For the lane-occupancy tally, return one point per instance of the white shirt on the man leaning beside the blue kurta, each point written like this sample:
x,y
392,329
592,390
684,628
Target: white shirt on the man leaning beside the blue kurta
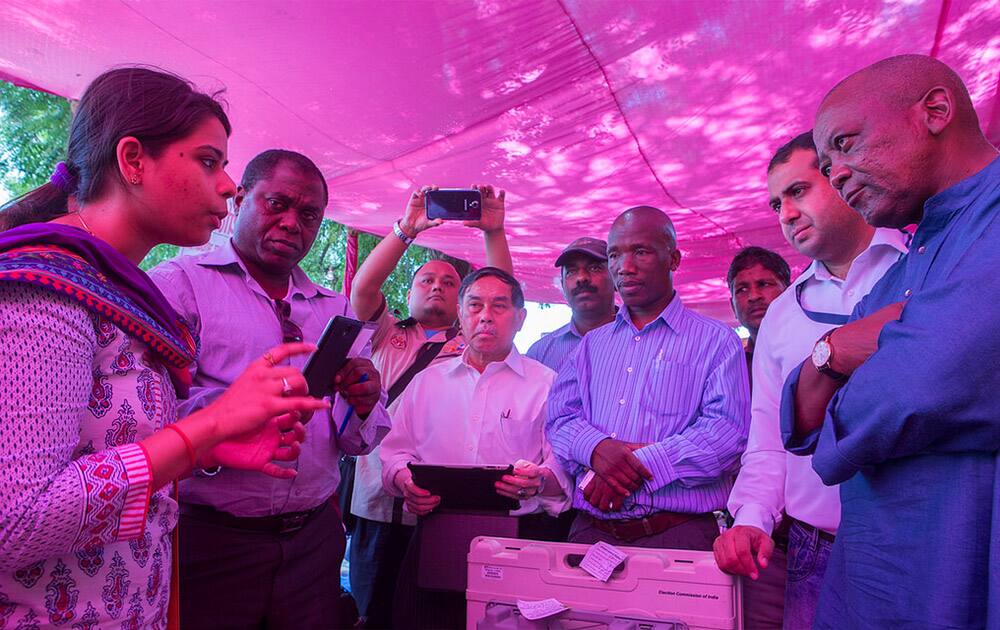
x,y
771,479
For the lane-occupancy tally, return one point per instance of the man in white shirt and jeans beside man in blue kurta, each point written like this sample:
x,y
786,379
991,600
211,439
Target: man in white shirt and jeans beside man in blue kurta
x,y
849,257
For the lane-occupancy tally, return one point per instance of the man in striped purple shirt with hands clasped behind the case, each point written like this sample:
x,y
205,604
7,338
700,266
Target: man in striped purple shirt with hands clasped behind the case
x,y
655,404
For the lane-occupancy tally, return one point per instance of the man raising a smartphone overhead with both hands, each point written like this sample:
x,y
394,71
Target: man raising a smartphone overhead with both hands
x,y
401,349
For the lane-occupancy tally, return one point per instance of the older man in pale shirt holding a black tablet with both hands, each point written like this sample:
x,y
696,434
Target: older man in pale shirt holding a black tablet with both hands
x,y
486,407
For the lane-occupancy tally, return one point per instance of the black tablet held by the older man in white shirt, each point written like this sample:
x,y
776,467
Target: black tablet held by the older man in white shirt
x,y
465,488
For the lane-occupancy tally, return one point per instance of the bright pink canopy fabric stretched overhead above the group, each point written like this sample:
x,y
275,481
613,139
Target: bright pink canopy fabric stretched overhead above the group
x,y
579,108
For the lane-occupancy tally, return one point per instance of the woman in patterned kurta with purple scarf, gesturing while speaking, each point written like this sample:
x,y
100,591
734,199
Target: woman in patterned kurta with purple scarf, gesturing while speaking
x,y
92,359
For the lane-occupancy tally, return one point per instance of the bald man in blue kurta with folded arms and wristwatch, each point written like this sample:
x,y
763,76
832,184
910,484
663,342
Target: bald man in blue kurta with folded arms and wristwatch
x,y
900,405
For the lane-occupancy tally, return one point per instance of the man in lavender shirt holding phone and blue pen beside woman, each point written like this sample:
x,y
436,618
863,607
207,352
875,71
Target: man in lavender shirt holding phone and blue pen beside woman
x,y
259,552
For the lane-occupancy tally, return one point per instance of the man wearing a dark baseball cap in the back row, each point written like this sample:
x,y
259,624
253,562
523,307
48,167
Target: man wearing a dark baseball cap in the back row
x,y
590,294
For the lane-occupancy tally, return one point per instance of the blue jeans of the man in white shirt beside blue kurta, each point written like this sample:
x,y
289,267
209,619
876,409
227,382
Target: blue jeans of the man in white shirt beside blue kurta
x,y
808,554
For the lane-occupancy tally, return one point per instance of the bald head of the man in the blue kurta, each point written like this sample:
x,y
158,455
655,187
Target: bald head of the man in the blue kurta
x,y
896,133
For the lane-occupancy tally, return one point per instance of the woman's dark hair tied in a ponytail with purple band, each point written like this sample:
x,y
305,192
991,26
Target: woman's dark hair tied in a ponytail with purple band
x,y
155,107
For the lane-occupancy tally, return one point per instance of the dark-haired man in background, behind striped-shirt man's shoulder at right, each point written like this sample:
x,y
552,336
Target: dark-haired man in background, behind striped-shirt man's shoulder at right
x,y
756,277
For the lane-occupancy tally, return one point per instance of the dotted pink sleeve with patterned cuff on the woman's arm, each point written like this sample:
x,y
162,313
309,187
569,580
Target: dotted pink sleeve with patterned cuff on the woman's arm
x,y
53,499
